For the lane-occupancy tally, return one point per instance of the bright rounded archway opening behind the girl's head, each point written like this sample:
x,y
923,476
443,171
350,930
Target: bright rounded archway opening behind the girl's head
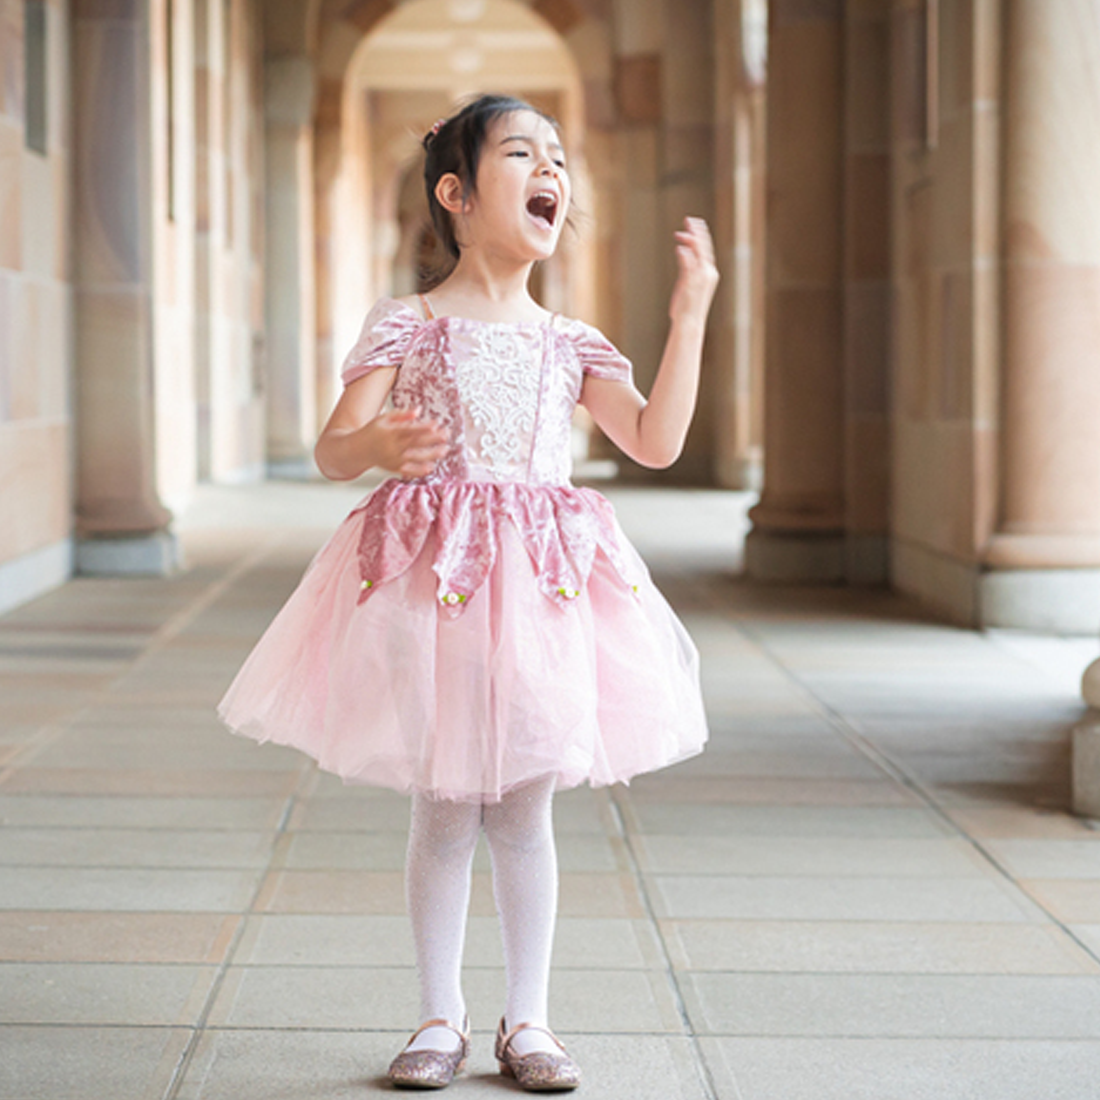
x,y
411,69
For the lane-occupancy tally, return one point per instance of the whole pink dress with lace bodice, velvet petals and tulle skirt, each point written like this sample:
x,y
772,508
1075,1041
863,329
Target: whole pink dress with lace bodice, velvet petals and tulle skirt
x,y
467,633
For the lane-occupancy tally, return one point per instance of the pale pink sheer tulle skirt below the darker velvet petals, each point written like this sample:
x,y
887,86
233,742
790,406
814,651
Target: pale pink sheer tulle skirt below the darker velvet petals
x,y
399,692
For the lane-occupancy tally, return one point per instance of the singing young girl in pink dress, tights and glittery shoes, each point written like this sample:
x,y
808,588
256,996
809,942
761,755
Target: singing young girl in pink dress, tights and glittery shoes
x,y
479,632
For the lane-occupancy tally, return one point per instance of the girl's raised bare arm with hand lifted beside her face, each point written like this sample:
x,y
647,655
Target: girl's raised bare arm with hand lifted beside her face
x,y
653,432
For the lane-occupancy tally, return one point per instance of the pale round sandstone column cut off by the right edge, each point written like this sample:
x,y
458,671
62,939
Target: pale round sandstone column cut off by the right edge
x,y
1044,559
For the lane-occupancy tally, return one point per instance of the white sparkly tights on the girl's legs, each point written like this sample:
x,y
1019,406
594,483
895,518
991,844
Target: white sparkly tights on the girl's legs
x,y
443,839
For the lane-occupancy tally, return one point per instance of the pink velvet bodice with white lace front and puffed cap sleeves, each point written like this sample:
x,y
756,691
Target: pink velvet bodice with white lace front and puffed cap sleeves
x,y
505,393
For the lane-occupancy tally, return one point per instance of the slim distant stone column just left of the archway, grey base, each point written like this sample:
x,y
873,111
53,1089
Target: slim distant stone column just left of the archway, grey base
x,y
291,288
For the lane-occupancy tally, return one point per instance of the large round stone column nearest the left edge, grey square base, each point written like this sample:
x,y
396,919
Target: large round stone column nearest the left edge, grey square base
x,y
123,527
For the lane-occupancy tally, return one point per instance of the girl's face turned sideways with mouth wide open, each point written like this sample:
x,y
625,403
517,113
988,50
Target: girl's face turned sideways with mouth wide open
x,y
523,192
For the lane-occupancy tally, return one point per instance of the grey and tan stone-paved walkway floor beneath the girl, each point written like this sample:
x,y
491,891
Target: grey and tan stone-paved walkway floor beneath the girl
x,y
867,889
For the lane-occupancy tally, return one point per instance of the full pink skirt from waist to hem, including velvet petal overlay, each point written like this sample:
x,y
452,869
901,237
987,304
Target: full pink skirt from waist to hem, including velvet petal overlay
x,y
464,639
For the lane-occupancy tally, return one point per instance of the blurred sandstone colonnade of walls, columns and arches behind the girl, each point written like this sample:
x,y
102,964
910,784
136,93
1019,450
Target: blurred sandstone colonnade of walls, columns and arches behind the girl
x,y
201,200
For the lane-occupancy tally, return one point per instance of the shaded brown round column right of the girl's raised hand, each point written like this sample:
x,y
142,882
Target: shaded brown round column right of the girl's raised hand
x,y
798,531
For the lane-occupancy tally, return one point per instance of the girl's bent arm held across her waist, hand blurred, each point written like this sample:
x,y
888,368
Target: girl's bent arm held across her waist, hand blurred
x,y
360,436
